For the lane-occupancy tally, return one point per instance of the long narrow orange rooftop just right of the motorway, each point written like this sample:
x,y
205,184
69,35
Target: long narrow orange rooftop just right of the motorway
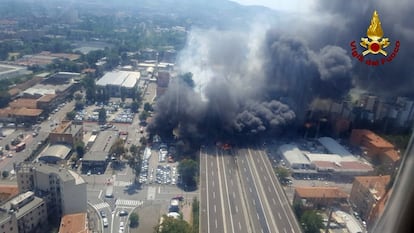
x,y
320,192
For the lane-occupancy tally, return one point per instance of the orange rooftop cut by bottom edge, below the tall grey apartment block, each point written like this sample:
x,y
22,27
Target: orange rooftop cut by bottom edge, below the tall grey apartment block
x,y
74,223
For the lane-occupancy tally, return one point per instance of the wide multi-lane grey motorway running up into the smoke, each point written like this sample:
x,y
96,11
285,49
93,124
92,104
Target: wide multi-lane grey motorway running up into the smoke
x,y
240,193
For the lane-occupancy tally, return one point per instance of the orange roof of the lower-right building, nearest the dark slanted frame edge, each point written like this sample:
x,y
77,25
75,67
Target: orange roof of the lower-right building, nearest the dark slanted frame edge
x,y
376,184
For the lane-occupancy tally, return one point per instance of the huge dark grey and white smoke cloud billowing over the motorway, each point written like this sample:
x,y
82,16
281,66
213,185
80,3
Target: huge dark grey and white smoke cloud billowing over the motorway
x,y
258,81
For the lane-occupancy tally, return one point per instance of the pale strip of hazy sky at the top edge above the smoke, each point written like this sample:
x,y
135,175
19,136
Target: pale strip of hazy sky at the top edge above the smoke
x,y
284,5
